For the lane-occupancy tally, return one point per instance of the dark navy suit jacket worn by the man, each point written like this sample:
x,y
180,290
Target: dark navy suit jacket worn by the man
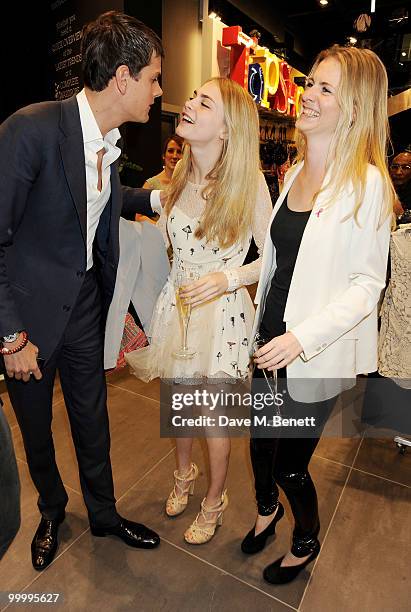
x,y
43,221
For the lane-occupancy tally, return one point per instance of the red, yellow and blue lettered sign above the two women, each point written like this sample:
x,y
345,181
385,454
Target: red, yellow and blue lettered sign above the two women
x,y
267,77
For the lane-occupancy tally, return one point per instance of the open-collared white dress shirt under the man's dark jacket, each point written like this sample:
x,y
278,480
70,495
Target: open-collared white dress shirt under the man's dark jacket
x,y
94,142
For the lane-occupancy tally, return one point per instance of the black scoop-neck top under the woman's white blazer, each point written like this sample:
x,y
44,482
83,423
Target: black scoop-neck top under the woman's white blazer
x,y
286,233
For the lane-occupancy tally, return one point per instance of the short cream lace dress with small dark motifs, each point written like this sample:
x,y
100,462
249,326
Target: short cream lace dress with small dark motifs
x,y
219,330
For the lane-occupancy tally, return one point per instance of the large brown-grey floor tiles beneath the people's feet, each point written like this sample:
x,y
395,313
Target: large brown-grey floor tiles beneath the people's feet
x,y
364,489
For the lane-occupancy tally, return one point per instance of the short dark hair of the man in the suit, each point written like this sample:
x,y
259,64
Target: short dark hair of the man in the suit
x,y
112,40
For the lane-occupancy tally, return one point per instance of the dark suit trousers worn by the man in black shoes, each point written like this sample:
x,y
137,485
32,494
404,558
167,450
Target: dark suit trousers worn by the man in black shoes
x,y
79,360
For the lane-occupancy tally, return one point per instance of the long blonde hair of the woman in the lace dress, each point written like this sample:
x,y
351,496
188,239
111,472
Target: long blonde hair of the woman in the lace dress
x,y
232,184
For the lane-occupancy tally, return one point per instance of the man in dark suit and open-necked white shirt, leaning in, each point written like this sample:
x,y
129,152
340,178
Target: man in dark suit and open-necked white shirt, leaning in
x,y
60,203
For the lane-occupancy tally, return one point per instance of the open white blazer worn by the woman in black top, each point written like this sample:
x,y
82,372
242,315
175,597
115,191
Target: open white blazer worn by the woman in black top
x,y
338,277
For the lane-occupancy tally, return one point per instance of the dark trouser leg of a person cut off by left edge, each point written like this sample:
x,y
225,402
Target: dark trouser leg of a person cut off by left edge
x,y
9,487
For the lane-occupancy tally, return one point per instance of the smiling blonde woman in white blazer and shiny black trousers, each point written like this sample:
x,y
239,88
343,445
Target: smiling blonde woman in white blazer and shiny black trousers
x,y
323,270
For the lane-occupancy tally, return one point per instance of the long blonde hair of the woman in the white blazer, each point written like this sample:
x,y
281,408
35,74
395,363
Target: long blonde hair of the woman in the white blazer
x,y
362,131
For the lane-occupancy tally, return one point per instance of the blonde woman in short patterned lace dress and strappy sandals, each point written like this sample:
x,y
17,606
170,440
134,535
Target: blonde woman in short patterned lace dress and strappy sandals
x,y
218,200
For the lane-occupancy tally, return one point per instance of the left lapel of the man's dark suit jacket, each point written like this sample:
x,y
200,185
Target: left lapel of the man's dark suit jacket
x,y
72,153
